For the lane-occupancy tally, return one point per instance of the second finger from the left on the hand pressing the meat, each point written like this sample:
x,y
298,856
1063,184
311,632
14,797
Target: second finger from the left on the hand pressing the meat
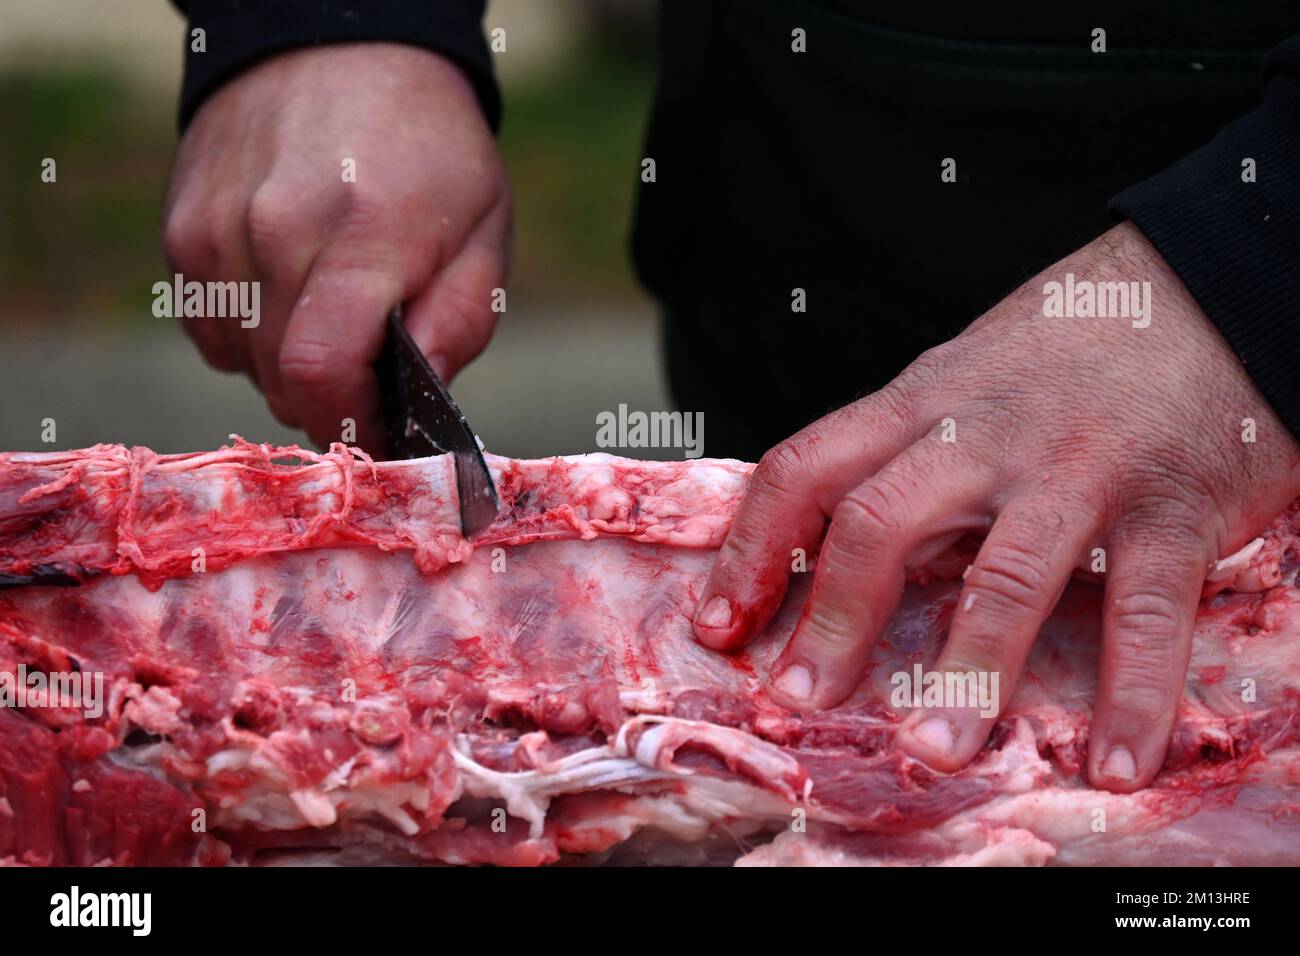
x,y
922,496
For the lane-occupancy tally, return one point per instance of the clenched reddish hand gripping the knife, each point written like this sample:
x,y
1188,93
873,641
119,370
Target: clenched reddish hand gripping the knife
x,y
259,194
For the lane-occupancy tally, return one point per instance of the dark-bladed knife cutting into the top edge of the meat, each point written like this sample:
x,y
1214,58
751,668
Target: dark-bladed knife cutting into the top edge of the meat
x,y
422,421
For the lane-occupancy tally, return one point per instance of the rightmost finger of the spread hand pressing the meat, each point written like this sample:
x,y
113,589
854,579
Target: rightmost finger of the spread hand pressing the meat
x,y
1152,594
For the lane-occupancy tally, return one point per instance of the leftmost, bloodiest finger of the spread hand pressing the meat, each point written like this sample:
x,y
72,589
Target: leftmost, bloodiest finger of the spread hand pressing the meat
x,y
790,496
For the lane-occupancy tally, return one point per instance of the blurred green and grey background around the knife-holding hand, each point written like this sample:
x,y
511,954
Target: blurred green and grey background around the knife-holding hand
x,y
93,85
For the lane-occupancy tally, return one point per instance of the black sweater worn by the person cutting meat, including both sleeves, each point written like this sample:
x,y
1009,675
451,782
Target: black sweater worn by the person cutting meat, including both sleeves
x,y
821,171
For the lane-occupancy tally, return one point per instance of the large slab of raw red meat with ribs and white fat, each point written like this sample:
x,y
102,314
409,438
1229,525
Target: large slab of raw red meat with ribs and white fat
x,y
304,661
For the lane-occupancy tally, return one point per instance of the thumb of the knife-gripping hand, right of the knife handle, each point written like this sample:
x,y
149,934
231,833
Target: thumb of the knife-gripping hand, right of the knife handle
x,y
453,318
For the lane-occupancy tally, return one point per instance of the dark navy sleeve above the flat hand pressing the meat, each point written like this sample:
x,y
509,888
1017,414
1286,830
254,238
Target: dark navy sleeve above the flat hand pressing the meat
x,y
1237,245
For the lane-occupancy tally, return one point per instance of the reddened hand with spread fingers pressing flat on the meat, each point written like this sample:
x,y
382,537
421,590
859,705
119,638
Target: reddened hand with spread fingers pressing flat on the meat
x,y
1055,436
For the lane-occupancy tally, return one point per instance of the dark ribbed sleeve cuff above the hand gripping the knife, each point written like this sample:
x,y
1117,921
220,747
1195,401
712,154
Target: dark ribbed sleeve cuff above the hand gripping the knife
x,y
242,32
